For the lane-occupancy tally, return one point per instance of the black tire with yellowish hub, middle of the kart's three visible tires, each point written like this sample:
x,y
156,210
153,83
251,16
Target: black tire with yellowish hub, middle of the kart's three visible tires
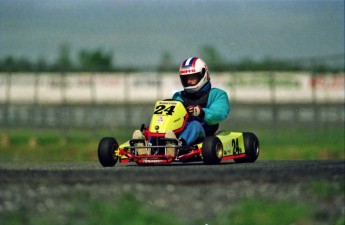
x,y
212,150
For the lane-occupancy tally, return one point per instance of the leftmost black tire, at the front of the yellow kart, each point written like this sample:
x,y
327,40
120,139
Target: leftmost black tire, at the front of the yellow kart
x,y
106,151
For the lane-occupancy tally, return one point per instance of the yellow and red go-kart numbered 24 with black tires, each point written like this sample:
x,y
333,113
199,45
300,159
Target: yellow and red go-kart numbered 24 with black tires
x,y
171,115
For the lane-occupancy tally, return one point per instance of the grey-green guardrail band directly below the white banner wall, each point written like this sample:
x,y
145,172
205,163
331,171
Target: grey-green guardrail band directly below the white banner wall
x,y
116,116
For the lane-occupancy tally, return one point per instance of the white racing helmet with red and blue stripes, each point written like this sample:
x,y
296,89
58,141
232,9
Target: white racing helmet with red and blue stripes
x,y
193,74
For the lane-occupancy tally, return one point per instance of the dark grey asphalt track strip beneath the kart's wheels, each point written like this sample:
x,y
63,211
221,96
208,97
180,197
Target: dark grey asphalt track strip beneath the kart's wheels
x,y
176,173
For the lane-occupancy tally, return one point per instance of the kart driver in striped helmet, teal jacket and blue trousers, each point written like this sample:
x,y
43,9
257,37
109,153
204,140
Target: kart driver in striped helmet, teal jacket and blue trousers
x,y
206,106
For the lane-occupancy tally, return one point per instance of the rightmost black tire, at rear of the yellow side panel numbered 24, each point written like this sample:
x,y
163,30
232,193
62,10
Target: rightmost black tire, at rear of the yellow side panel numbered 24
x,y
252,148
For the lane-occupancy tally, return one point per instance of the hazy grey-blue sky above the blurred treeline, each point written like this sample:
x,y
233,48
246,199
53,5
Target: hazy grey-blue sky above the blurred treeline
x,y
139,32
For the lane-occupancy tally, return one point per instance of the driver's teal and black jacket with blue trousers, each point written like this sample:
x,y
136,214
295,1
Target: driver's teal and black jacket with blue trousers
x,y
216,107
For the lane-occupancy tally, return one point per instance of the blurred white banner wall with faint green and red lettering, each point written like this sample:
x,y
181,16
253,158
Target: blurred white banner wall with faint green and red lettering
x,y
280,87
